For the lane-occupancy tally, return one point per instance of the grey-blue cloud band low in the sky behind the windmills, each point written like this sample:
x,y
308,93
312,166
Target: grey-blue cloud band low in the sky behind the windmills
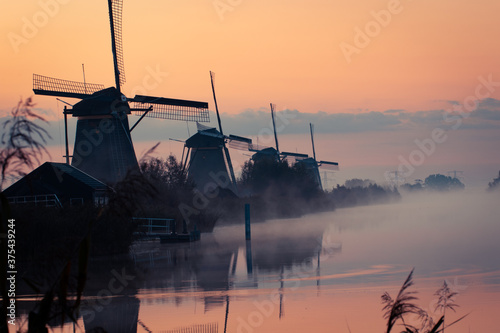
x,y
253,122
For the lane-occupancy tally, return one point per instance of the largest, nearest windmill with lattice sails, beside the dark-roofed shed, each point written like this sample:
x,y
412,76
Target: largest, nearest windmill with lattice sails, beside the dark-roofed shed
x,y
103,144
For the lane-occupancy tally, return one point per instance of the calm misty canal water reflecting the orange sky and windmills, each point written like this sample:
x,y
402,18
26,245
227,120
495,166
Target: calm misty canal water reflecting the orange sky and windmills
x,y
319,273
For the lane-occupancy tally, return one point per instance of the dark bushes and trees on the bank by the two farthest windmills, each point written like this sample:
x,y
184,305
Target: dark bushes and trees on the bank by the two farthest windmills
x,y
290,189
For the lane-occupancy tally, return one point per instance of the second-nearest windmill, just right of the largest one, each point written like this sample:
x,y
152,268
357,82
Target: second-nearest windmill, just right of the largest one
x,y
210,163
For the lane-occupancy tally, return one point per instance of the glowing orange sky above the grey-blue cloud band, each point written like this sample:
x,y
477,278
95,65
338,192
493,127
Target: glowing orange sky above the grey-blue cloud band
x,y
286,52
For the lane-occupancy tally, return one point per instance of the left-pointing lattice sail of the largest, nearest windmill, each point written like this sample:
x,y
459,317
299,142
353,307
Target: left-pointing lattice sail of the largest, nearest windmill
x,y
45,85
